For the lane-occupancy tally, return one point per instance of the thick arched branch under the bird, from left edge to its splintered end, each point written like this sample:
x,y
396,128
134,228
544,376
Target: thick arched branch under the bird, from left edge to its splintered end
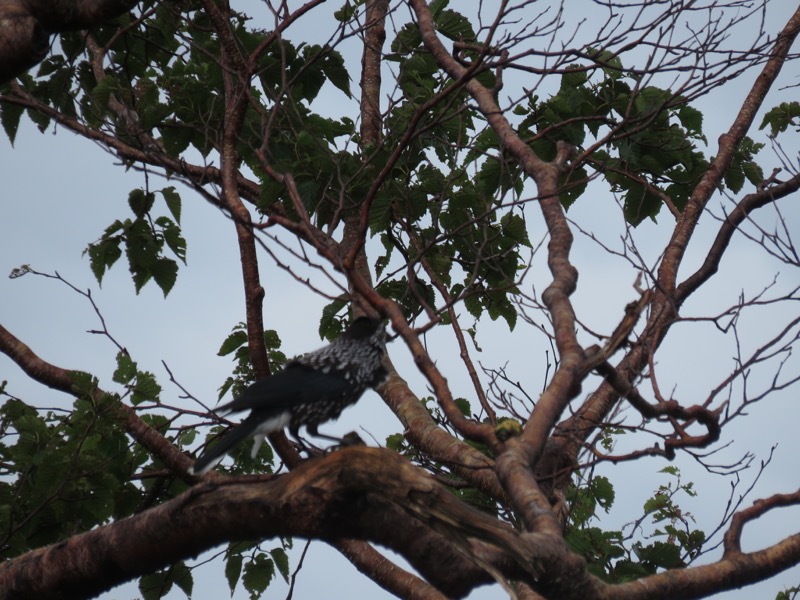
x,y
350,492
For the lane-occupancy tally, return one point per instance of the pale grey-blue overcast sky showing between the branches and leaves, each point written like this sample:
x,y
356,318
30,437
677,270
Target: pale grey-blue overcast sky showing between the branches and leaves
x,y
60,192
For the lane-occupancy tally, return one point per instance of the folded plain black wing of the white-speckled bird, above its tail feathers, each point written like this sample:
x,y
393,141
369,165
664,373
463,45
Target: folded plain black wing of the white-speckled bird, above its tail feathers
x,y
295,384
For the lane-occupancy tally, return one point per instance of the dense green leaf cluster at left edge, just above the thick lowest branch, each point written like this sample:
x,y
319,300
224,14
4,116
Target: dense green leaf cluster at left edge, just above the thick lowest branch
x,y
63,472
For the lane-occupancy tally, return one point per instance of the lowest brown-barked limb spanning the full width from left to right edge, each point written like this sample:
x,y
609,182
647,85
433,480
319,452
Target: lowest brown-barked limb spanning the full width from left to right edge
x,y
364,493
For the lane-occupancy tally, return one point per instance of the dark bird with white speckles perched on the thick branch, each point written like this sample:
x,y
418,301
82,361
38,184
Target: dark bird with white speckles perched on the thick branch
x,y
310,390
